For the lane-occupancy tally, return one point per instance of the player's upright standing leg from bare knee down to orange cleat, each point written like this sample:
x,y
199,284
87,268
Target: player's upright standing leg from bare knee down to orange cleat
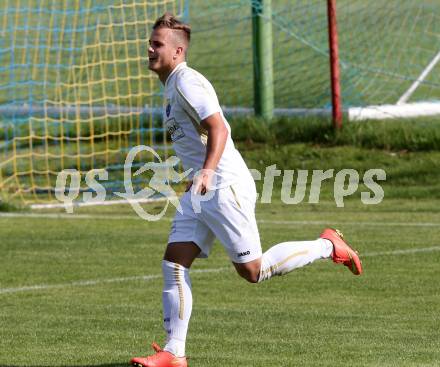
x,y
177,306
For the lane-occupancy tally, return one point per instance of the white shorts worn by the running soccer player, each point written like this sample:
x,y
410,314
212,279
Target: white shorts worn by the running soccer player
x,y
228,215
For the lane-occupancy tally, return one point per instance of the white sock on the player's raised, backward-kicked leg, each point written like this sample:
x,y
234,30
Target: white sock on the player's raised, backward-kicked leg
x,y
284,257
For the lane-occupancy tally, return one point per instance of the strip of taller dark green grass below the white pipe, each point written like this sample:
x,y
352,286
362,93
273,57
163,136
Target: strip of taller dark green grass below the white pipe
x,y
395,135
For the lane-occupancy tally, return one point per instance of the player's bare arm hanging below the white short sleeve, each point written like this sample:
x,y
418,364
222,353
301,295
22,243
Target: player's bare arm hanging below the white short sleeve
x,y
215,146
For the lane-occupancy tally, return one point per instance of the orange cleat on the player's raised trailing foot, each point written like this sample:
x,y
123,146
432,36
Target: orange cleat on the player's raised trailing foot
x,y
342,252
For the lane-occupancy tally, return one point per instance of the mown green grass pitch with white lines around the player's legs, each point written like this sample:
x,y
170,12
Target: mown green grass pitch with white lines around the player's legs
x,y
85,290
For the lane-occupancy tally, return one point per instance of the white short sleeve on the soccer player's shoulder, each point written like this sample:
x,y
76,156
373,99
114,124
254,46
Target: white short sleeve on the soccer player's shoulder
x,y
196,96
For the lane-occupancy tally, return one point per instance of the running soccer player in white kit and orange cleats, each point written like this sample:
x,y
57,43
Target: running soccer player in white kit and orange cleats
x,y
201,138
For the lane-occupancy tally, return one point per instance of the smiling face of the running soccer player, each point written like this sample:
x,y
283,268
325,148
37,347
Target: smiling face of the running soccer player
x,y
162,51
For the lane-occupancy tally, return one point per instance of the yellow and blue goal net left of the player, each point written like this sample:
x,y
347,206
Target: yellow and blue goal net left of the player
x,y
75,90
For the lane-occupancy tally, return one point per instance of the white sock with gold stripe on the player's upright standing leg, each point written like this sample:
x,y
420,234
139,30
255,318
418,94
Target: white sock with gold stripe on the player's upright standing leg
x,y
177,306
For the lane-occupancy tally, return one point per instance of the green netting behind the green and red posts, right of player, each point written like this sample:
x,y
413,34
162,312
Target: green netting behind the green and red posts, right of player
x,y
389,55
